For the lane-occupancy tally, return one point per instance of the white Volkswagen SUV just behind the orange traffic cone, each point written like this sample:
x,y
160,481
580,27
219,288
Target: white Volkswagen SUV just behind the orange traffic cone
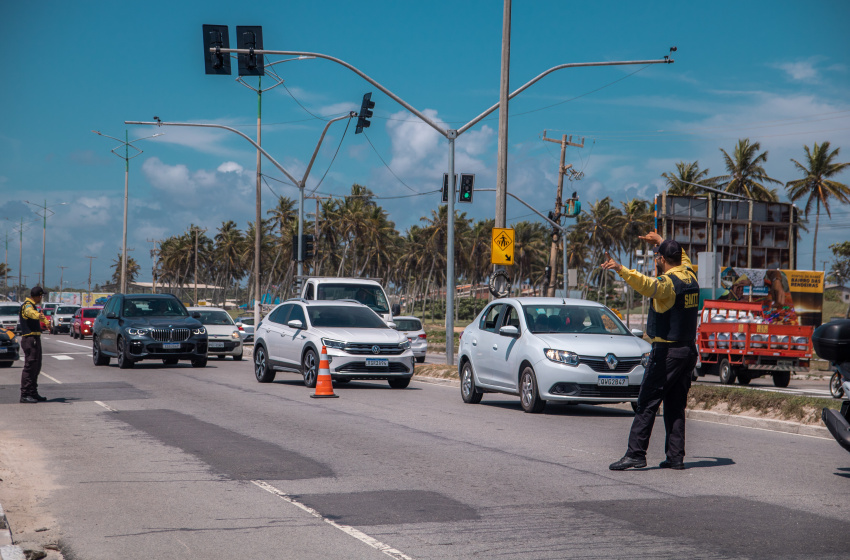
x,y
359,344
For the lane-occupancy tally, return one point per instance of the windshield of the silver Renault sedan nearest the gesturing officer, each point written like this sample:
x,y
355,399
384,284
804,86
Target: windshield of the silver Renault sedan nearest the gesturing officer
x,y
572,319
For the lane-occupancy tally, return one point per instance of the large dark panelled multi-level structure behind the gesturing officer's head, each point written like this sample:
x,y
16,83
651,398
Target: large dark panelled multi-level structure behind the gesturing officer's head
x,y
749,234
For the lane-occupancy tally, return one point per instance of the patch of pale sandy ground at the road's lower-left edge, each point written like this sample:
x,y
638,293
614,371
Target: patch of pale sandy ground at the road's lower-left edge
x,y
24,493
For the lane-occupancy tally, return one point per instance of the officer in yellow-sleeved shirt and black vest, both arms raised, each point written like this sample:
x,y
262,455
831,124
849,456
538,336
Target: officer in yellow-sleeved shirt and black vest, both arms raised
x,y
672,325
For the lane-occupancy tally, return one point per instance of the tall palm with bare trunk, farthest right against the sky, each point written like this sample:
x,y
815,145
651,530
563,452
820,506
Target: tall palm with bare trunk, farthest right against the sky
x,y
816,184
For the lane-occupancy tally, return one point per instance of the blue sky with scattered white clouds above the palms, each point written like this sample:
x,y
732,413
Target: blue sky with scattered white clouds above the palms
x,y
775,72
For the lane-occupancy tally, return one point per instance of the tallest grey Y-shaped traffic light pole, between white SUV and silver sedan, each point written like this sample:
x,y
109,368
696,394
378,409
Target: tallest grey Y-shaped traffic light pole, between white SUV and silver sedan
x,y
451,136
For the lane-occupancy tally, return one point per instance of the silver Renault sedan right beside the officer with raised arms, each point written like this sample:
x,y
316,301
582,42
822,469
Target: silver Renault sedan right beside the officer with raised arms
x,y
551,349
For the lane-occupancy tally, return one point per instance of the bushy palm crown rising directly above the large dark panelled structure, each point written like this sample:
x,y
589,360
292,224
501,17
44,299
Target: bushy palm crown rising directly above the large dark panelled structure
x,y
745,174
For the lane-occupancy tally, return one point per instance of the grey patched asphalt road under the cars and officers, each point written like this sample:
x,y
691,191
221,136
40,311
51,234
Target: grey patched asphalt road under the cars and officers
x,y
177,462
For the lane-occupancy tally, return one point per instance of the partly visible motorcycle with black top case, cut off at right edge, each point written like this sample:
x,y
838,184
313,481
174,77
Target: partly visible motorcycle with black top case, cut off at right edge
x,y
832,342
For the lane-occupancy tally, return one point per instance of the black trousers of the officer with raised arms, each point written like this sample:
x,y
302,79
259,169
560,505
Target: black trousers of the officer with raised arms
x,y
667,380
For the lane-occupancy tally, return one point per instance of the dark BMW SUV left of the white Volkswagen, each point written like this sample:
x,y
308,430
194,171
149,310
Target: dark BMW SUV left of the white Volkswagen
x,y
134,327
